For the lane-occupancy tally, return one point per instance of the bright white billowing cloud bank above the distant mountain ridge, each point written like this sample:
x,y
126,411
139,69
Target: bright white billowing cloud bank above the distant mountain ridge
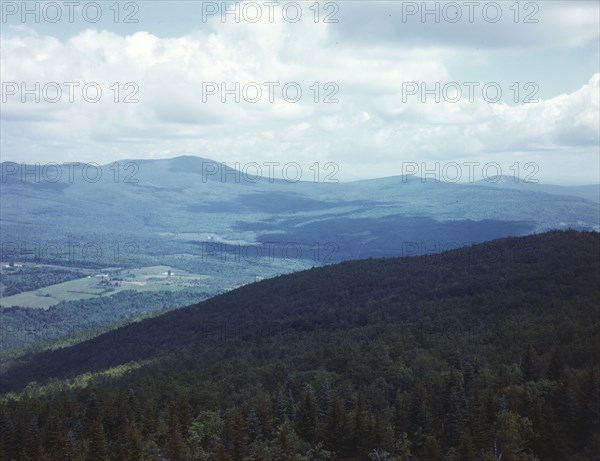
x,y
354,108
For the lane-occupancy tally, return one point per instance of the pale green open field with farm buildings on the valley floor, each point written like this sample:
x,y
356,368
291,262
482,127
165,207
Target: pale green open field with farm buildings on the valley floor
x,y
107,283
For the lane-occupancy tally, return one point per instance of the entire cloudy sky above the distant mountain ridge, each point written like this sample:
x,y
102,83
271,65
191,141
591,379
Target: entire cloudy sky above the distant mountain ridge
x,y
370,86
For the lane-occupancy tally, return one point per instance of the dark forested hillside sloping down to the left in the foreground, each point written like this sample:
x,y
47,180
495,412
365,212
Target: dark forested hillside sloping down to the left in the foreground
x,y
483,353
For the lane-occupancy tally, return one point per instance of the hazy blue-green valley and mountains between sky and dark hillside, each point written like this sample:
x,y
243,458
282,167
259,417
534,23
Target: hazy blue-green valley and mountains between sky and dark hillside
x,y
223,231
